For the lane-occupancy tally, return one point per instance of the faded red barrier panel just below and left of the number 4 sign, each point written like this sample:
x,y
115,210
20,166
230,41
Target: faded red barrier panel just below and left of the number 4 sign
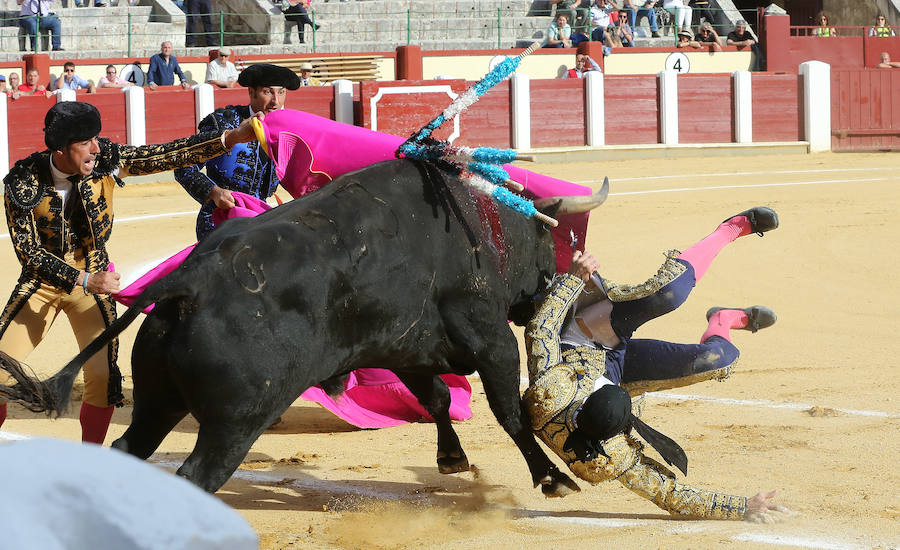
x,y
632,109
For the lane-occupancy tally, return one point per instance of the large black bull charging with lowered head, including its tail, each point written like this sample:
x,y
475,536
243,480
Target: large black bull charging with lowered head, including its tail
x,y
390,266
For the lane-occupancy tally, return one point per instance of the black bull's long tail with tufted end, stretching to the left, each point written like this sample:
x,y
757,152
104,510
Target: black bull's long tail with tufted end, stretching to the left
x,y
52,395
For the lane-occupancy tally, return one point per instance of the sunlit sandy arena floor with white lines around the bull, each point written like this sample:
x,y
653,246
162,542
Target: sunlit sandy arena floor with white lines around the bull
x,y
812,410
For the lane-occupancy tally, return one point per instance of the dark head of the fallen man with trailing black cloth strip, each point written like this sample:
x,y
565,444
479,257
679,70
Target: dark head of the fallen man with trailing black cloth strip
x,y
606,413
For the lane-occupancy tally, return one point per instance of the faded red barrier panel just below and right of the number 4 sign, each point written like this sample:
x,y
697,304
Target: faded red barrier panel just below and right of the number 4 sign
x,y
705,108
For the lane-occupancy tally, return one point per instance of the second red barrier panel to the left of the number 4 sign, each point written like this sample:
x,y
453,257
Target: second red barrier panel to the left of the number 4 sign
x,y
557,113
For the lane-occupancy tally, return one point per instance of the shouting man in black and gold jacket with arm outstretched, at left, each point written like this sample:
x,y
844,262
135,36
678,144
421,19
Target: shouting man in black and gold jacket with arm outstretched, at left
x,y
59,211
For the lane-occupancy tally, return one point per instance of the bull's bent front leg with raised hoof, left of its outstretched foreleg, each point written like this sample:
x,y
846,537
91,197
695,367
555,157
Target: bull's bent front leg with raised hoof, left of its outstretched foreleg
x,y
434,395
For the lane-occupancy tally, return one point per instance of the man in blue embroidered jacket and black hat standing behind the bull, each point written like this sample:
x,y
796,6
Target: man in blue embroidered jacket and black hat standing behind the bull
x,y
247,168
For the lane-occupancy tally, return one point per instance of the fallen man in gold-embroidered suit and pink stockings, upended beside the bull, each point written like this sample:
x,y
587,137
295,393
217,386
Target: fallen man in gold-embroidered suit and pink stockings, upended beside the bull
x,y
582,362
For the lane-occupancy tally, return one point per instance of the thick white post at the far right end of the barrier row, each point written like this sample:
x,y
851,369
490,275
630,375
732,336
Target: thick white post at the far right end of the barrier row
x,y
816,105
